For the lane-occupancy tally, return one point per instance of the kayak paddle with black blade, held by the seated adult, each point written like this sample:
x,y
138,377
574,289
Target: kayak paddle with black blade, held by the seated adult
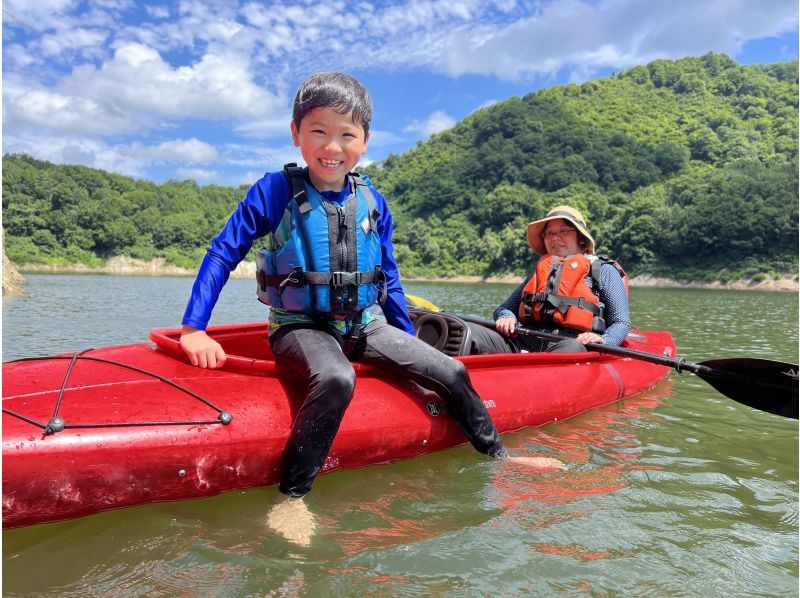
x,y
770,386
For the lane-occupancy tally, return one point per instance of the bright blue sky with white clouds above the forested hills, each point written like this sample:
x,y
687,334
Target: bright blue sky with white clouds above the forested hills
x,y
202,89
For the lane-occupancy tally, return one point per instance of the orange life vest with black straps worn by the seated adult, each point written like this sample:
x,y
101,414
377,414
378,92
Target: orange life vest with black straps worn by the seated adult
x,y
557,293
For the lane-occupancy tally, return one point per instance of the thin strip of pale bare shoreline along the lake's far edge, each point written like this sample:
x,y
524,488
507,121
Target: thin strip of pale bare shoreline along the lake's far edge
x,y
125,266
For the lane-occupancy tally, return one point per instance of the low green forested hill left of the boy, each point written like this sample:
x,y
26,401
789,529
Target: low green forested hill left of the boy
x,y
66,214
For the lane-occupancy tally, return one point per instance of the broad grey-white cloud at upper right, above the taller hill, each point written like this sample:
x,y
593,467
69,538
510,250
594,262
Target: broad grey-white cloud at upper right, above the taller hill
x,y
613,33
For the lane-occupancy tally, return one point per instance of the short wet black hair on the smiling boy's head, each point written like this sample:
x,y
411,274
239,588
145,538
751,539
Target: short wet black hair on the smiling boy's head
x,y
338,91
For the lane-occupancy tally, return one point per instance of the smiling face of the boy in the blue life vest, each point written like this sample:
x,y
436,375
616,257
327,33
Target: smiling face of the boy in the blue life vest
x,y
331,145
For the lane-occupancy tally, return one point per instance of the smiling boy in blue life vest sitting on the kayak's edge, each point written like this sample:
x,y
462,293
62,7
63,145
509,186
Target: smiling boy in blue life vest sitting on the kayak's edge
x,y
319,221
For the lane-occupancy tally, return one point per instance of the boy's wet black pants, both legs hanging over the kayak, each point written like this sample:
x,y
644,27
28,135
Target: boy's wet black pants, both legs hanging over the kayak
x,y
317,355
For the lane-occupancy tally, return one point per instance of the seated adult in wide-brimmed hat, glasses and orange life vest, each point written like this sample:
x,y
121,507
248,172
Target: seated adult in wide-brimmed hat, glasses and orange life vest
x,y
573,293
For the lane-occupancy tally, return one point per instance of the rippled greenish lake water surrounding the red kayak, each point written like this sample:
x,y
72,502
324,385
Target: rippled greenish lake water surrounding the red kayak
x,y
679,491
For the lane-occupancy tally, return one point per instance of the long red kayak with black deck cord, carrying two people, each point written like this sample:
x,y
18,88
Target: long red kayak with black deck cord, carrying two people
x,y
122,426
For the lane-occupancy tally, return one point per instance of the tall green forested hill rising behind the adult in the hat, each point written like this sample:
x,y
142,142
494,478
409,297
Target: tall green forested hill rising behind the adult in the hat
x,y
682,167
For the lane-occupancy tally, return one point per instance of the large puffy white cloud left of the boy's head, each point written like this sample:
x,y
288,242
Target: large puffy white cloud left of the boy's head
x,y
136,90
